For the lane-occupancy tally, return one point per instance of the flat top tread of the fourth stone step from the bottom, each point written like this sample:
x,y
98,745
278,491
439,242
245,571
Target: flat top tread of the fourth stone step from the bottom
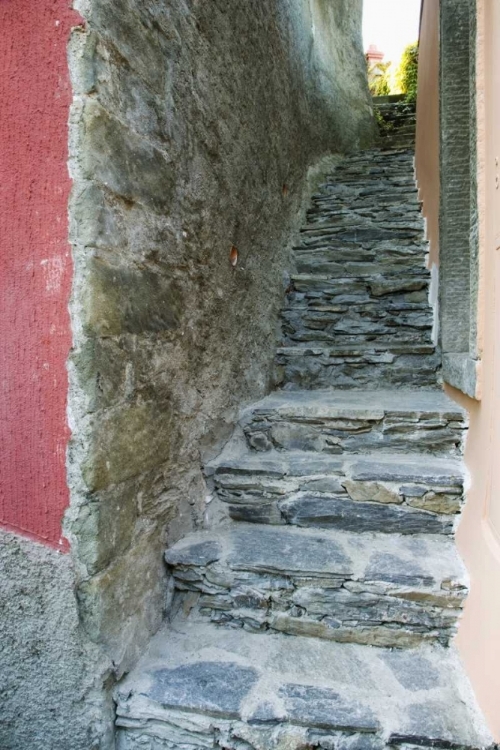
x,y
331,403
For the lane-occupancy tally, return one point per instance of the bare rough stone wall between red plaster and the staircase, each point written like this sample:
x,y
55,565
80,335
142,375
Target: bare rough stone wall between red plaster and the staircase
x,y
192,130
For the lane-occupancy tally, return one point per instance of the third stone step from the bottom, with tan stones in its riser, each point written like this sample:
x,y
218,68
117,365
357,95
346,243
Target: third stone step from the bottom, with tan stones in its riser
x,y
403,493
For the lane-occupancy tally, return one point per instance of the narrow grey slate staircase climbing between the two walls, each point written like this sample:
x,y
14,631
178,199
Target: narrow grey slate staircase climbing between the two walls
x,y
319,614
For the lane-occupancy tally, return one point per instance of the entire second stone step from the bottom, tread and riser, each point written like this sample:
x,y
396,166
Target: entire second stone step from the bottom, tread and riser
x,y
368,588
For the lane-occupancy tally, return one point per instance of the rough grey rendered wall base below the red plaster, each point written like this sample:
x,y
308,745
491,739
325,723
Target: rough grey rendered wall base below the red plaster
x,y
51,677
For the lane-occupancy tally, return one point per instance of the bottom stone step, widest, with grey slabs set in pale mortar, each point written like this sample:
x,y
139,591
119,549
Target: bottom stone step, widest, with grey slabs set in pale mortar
x,y
197,683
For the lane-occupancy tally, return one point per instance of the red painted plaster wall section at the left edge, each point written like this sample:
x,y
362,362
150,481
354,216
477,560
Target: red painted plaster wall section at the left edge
x,y
35,265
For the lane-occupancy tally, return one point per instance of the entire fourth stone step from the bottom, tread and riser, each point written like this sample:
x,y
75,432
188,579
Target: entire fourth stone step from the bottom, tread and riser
x,y
356,421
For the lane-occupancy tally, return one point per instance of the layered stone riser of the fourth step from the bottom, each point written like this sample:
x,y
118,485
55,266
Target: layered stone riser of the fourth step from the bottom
x,y
425,434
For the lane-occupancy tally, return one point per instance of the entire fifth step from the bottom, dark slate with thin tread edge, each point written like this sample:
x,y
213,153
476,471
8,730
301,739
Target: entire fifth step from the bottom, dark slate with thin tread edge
x,y
373,365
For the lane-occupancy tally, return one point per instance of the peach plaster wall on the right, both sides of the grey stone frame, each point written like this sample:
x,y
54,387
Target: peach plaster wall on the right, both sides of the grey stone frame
x,y
478,536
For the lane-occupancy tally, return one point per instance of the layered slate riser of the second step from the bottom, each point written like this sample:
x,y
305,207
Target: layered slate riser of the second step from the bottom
x,y
339,609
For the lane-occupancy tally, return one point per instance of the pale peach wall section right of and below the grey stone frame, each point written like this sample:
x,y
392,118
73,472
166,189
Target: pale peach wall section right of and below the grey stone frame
x,y
479,532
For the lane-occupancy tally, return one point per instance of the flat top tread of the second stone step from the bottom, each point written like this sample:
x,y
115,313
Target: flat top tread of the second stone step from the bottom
x,y
423,560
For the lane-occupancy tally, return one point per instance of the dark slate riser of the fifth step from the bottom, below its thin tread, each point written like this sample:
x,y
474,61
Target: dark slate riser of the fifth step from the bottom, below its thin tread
x,y
375,370
